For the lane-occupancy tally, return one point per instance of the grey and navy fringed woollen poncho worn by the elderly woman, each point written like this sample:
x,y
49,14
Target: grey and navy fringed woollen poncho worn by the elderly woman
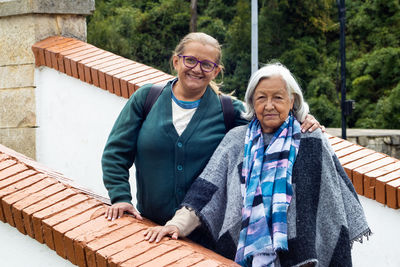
x,y
324,216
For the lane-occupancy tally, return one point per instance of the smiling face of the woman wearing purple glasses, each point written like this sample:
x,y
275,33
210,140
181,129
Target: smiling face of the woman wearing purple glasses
x,y
192,82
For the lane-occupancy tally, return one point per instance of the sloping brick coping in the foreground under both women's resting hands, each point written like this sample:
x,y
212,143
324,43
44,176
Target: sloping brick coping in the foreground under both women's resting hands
x,y
70,220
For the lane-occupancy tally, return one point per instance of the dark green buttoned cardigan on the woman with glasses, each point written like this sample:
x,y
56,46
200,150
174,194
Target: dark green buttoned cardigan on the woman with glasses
x,y
166,163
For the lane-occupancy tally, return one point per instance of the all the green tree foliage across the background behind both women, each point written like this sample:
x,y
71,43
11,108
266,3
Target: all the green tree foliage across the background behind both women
x,y
303,35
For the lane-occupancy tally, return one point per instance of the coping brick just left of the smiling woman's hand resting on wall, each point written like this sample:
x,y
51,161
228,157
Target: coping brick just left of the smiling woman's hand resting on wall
x,y
70,212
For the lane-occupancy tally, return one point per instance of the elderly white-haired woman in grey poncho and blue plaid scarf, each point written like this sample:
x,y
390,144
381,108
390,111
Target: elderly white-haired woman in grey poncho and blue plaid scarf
x,y
272,195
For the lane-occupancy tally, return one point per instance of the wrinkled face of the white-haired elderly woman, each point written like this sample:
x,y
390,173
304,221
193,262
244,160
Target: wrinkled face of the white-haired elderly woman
x,y
271,103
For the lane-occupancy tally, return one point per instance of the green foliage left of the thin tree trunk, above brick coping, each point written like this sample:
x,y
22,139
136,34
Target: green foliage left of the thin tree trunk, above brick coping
x,y
146,32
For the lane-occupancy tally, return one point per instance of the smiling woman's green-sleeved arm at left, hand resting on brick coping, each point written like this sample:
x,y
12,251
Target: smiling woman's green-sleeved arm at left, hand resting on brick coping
x,y
119,155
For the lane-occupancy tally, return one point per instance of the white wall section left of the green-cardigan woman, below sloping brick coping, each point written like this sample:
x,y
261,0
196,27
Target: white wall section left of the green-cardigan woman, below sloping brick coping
x,y
74,120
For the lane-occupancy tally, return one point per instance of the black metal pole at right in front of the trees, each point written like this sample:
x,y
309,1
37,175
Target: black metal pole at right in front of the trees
x,y
342,20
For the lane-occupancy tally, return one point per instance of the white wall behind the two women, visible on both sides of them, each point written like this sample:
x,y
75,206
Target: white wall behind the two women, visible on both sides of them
x,y
75,119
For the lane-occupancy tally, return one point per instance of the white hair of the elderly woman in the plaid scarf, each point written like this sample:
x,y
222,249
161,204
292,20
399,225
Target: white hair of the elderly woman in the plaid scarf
x,y
300,107
